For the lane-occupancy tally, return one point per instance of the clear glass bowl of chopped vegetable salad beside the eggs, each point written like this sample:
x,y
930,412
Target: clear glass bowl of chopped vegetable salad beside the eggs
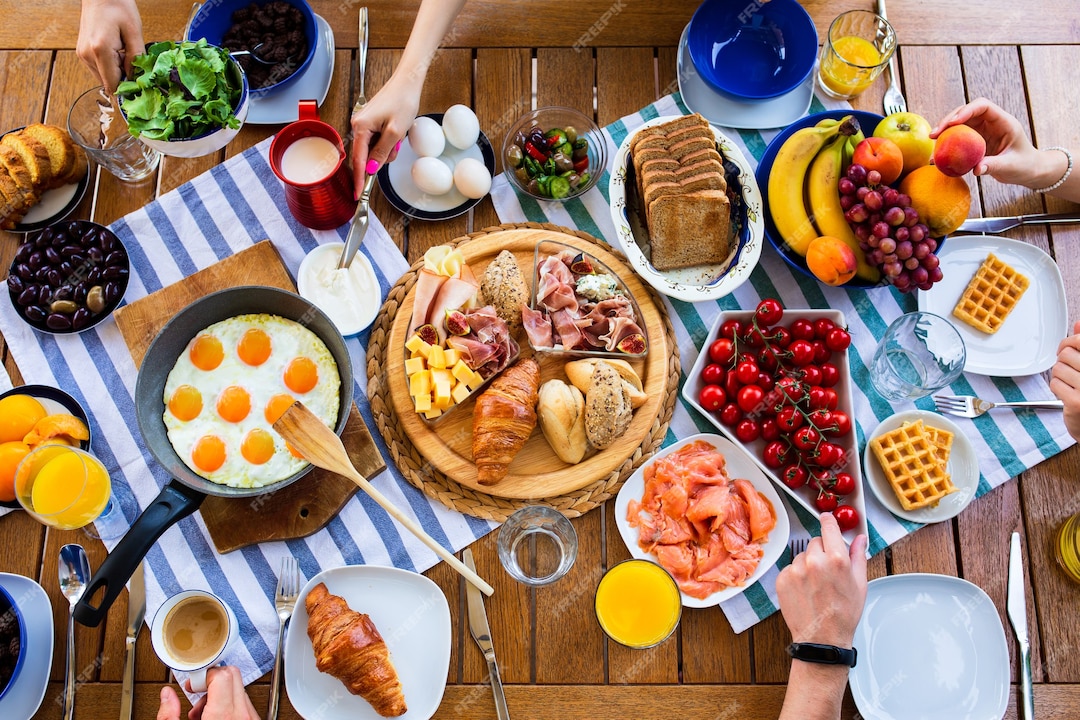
x,y
555,154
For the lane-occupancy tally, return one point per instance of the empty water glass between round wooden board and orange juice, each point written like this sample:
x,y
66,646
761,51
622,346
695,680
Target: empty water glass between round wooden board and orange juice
x,y
537,546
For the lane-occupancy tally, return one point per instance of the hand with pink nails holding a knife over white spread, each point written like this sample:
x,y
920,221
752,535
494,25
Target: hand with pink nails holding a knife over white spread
x,y
380,127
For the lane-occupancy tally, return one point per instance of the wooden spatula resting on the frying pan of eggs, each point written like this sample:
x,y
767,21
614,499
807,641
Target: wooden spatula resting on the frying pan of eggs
x,y
321,447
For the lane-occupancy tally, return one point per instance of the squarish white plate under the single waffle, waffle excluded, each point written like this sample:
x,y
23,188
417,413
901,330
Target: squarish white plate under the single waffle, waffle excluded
x,y
1027,343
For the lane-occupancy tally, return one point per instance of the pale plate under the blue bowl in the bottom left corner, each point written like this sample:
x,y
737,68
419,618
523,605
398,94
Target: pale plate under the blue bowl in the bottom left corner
x,y
24,699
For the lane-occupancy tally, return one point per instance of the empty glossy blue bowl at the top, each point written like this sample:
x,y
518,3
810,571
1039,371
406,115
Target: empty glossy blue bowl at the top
x,y
753,51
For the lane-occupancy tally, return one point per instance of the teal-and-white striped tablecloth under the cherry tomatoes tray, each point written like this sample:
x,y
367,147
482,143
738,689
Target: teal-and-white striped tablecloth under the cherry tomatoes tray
x,y
1006,443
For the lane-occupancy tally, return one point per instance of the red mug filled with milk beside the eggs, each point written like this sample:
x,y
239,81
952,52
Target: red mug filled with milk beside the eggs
x,y
309,157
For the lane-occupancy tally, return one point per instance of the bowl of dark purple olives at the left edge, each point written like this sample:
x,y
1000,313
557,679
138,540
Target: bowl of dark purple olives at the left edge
x,y
70,277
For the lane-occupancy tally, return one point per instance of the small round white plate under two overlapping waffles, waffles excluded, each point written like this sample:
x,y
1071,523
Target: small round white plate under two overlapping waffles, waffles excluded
x,y
963,468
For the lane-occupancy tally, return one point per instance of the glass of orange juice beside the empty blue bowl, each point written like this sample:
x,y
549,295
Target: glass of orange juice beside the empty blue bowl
x,y
858,48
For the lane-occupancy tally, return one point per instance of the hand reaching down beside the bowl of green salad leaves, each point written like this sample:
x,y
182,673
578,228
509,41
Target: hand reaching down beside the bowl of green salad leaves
x,y
111,36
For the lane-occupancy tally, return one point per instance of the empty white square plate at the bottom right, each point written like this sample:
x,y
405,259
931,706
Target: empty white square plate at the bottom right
x,y
929,647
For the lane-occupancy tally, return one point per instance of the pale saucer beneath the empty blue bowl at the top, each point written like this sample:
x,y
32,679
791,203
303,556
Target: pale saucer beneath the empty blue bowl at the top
x,y
730,112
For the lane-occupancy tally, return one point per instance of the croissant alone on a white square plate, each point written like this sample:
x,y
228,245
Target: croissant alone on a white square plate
x,y
349,647
